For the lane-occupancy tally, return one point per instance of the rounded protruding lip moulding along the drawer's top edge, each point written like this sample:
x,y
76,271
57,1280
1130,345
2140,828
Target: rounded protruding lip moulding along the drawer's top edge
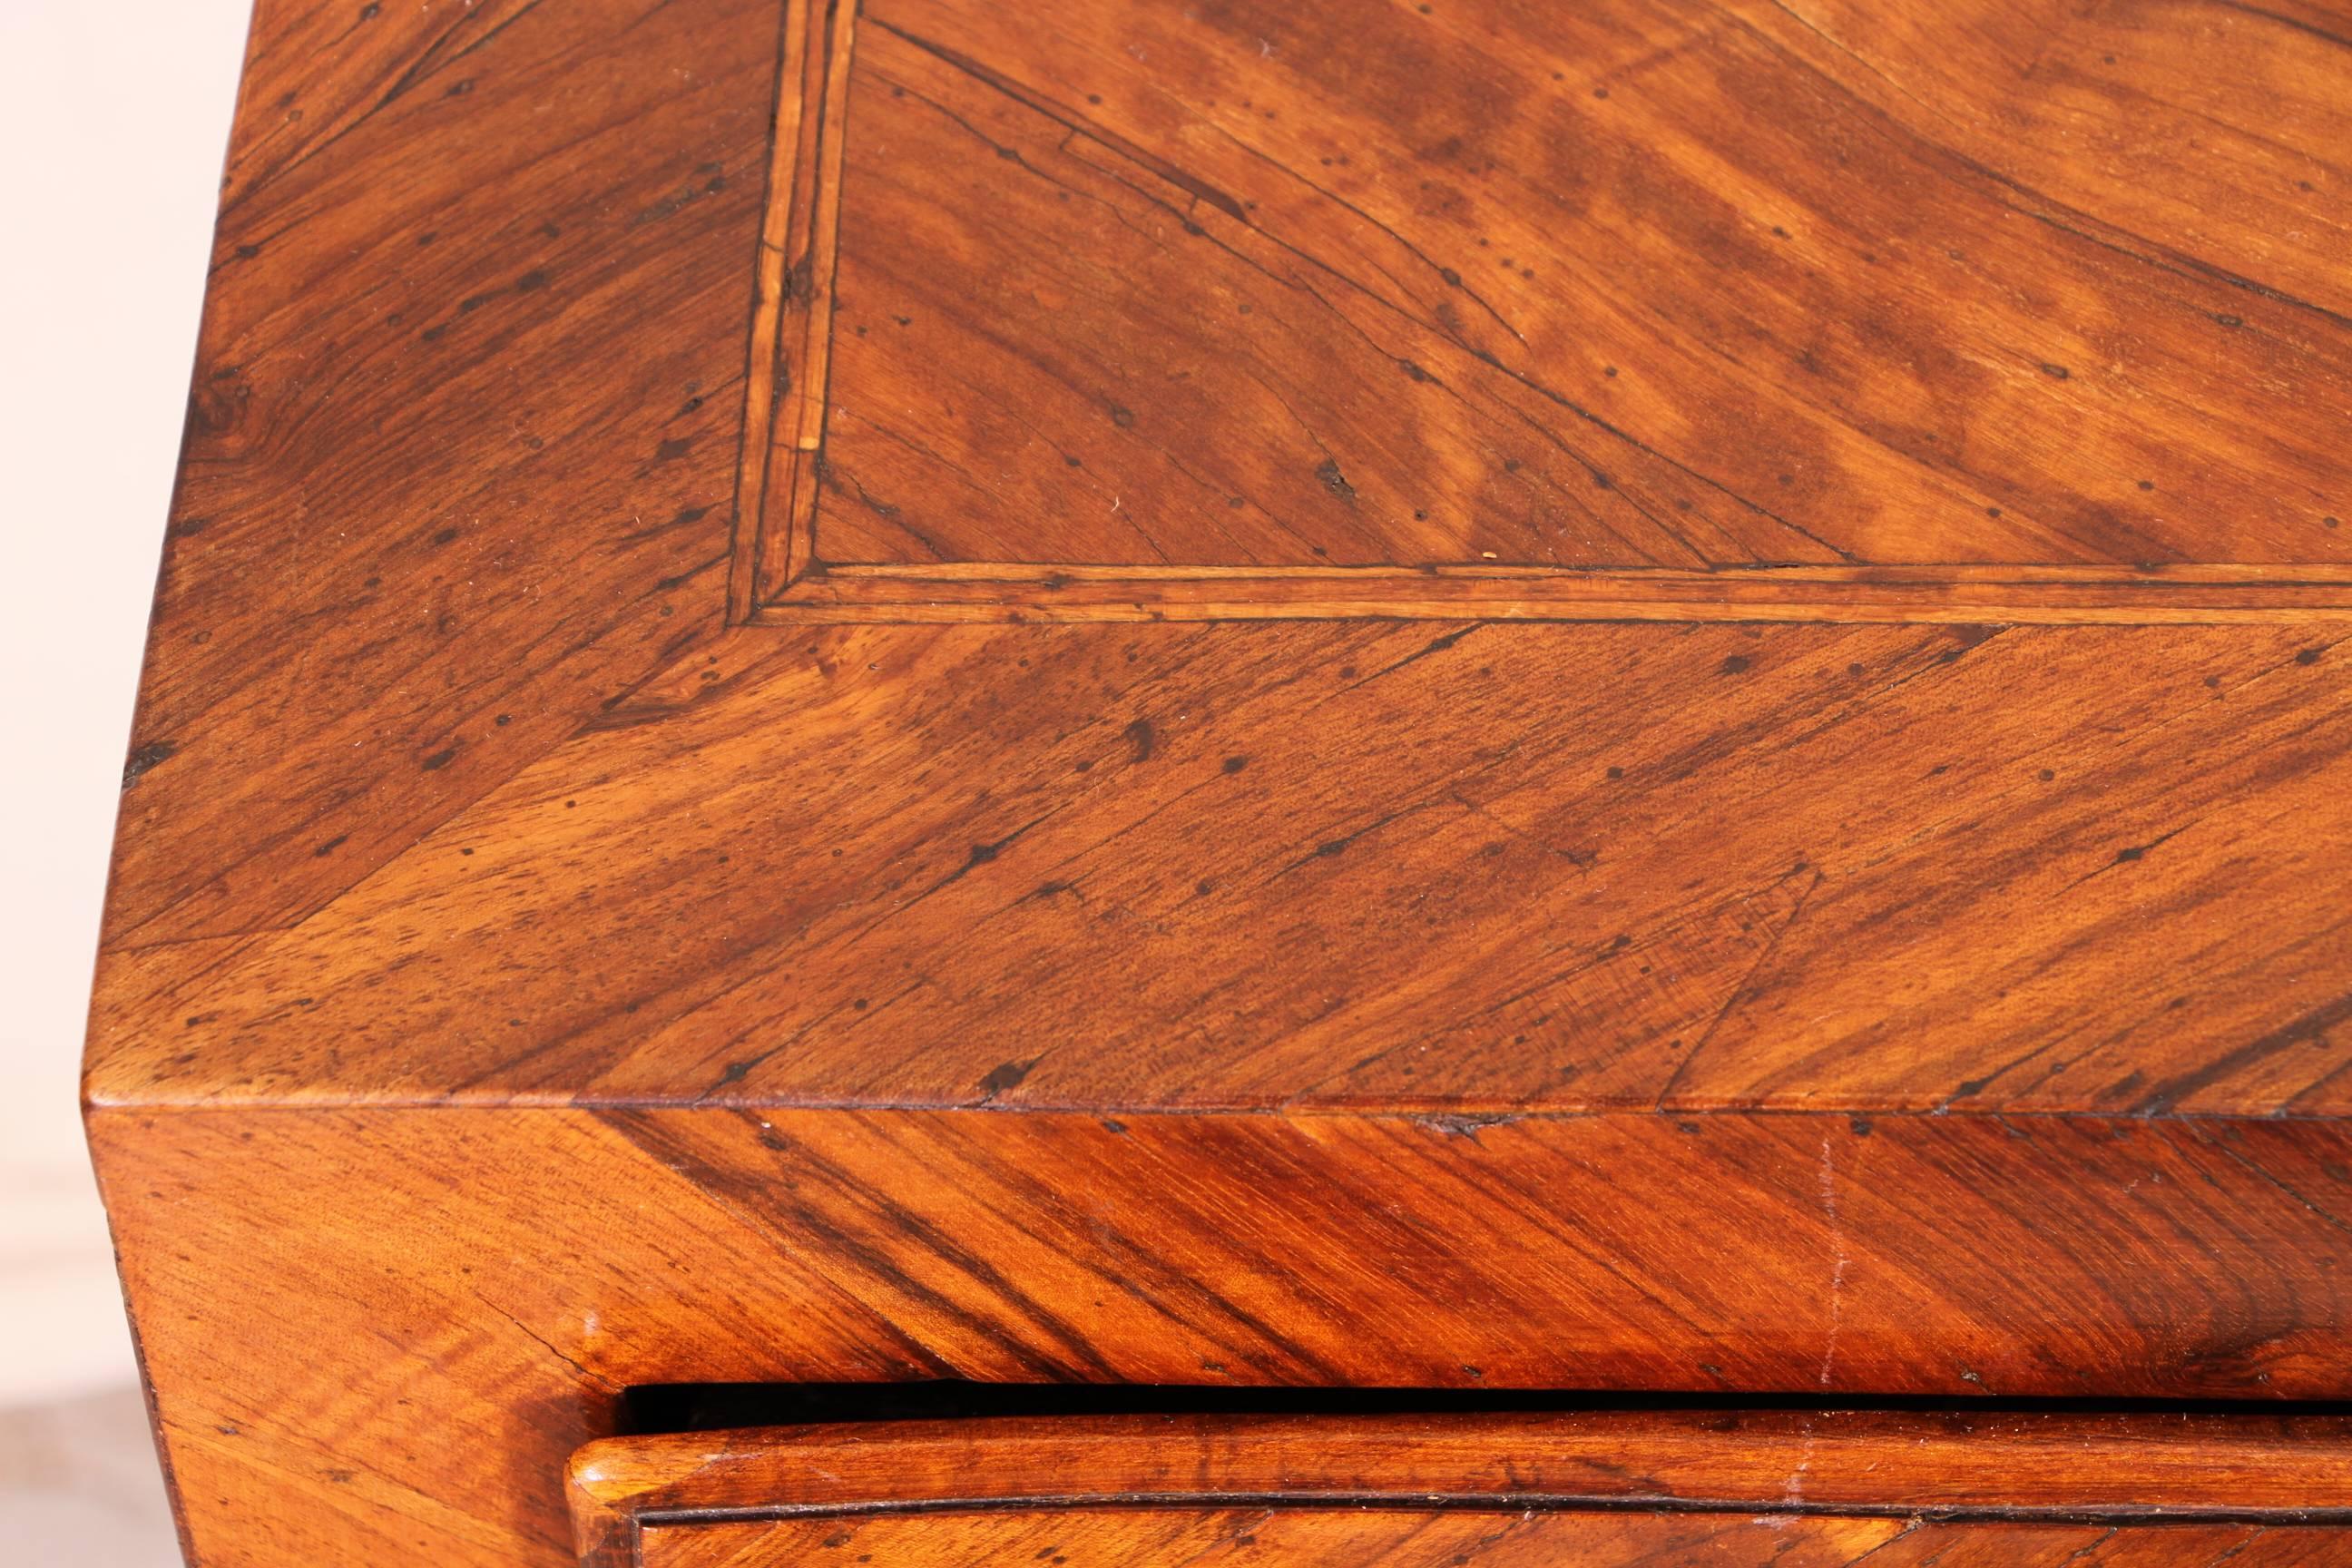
x,y
2078,1468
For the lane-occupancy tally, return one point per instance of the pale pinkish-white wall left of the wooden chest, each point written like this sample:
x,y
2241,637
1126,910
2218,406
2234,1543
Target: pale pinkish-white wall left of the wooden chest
x,y
114,119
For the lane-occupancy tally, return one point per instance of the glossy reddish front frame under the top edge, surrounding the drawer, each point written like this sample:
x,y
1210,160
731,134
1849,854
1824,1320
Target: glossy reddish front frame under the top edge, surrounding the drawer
x,y
338,1304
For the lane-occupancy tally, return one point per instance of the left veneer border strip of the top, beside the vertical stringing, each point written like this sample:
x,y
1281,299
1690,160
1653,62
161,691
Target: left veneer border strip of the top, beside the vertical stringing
x,y
465,424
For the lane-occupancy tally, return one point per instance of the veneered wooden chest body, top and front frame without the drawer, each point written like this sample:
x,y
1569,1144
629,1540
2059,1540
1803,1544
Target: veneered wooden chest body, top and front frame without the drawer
x,y
636,873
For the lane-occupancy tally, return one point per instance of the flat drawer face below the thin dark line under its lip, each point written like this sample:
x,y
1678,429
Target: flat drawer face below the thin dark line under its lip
x,y
1448,1539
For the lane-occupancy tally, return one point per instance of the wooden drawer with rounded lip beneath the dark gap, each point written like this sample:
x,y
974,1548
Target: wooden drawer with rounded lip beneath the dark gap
x,y
1514,1489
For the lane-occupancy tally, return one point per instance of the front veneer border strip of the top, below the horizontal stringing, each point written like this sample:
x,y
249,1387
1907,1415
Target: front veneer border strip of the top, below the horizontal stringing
x,y
1866,869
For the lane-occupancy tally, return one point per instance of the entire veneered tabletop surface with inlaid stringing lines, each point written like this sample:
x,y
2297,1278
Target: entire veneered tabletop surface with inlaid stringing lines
x,y
1452,558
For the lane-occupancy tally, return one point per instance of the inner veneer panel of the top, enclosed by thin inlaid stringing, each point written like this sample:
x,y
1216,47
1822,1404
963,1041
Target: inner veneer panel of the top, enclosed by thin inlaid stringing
x,y
1645,288
